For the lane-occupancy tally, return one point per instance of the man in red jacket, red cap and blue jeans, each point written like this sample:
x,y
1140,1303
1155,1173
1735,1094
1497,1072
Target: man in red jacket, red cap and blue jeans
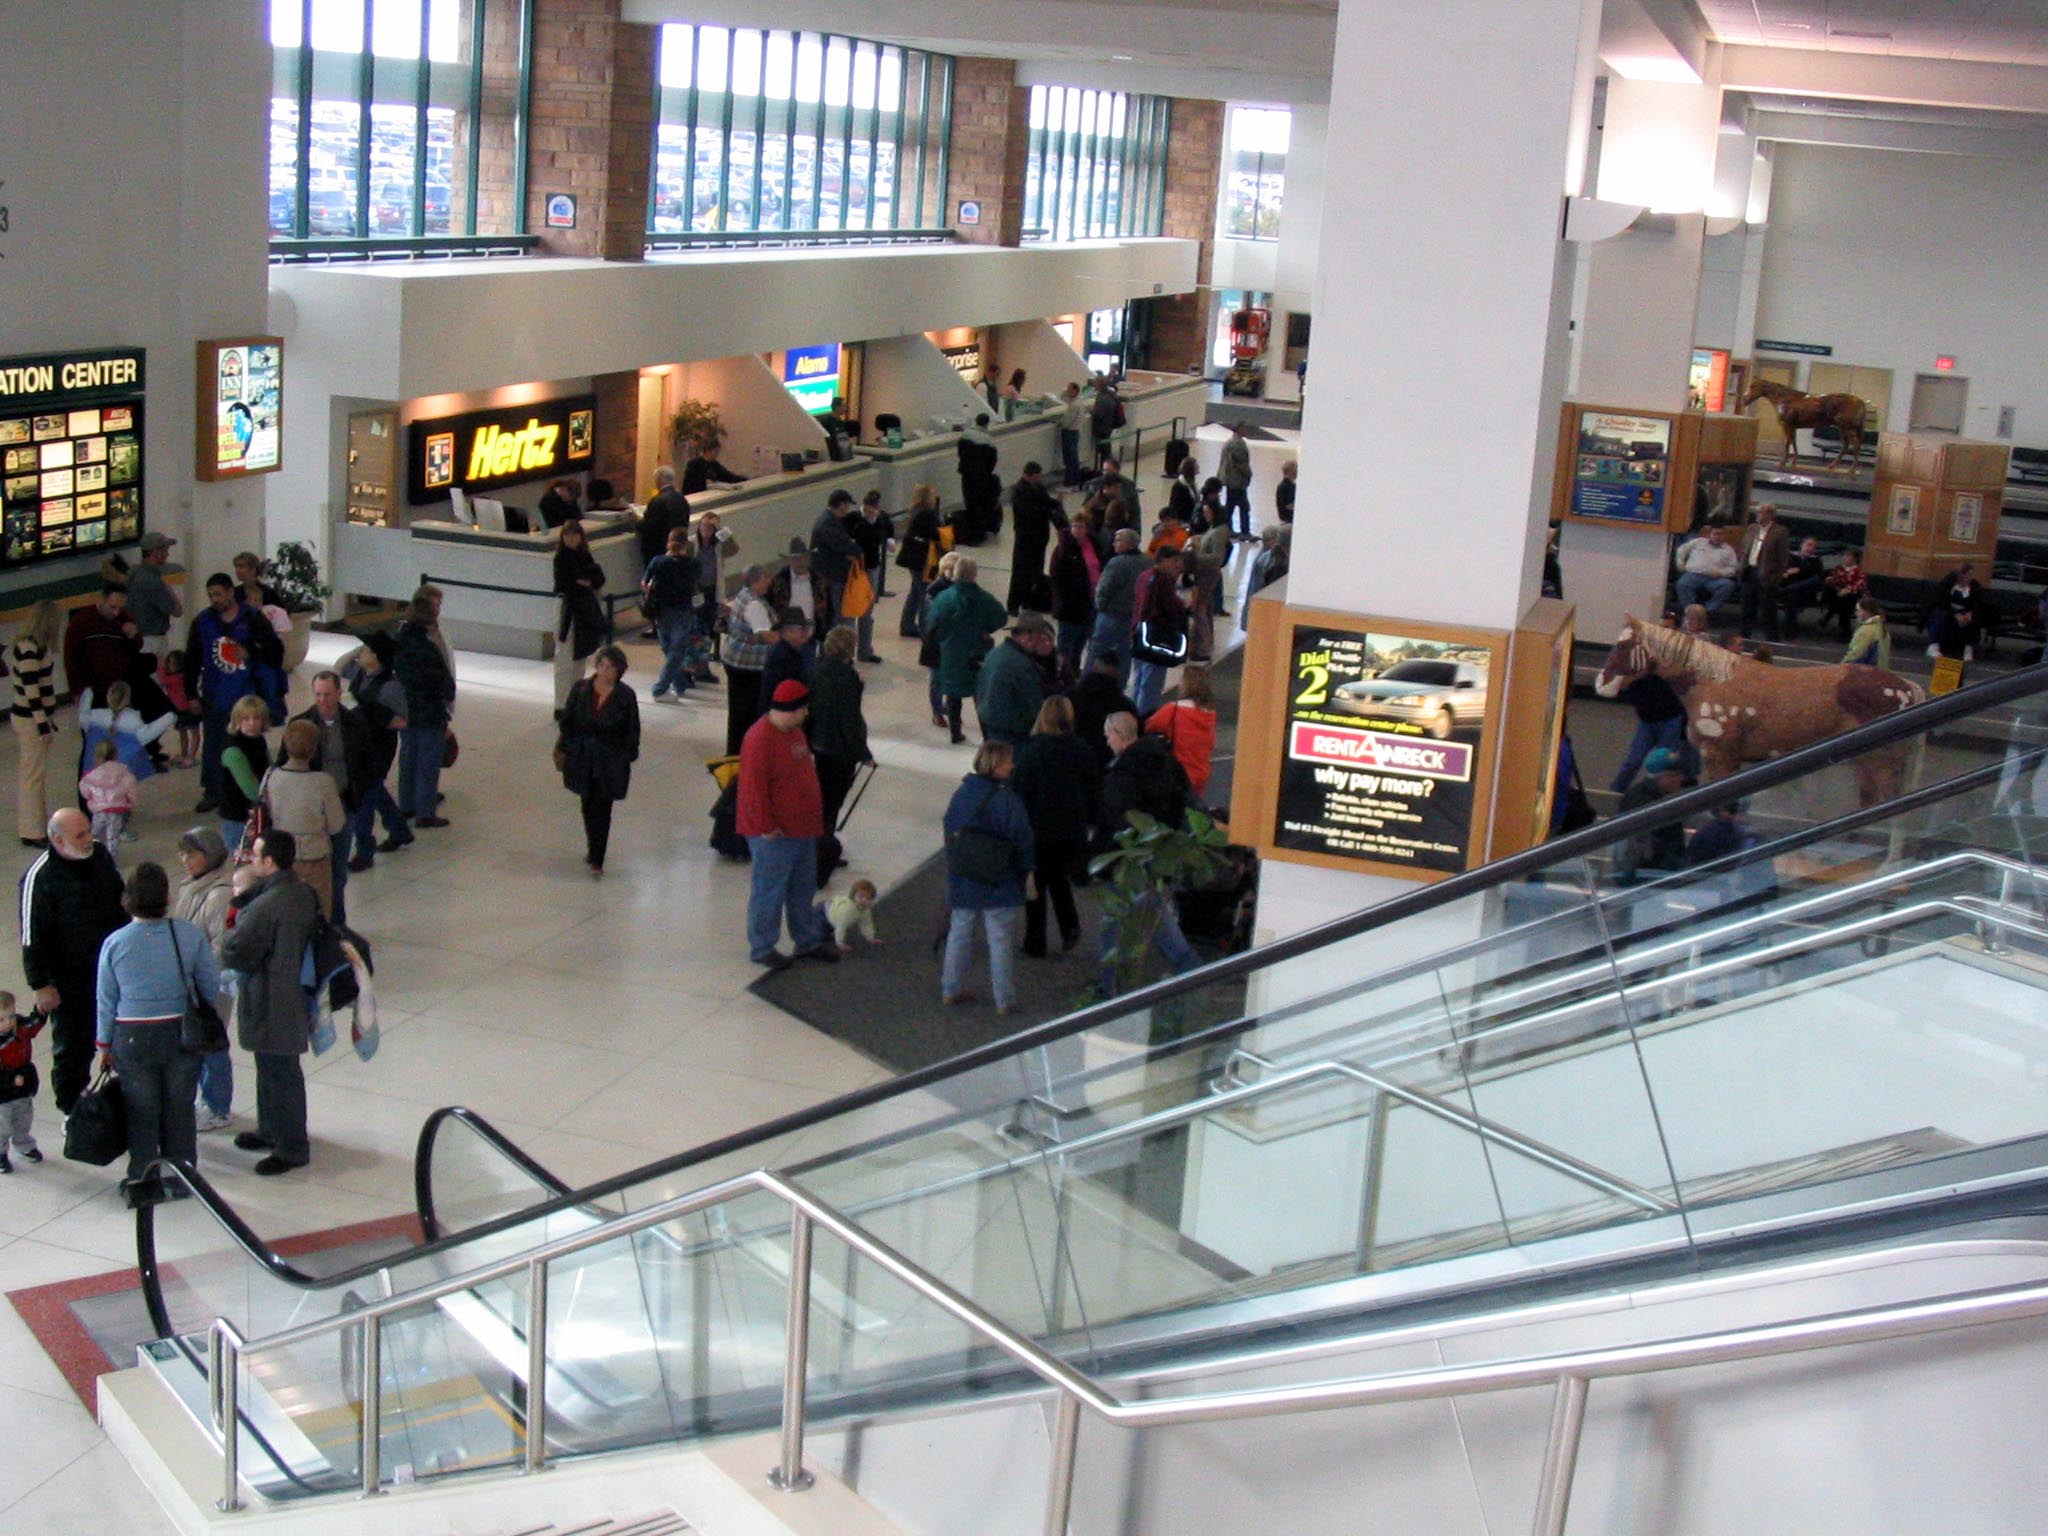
x,y
783,814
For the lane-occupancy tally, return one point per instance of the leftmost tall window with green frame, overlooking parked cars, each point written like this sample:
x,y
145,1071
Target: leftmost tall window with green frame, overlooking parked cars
x,y
378,112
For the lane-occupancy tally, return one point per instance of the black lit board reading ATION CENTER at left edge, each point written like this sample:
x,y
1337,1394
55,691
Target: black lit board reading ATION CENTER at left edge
x,y
71,454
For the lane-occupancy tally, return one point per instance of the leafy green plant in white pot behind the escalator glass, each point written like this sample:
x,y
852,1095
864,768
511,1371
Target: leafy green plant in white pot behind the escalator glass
x,y
1146,867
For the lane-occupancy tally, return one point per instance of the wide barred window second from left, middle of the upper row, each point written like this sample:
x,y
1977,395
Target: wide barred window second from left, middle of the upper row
x,y
798,132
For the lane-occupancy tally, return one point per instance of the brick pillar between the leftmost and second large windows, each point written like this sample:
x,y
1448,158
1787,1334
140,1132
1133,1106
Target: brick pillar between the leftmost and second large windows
x,y
591,128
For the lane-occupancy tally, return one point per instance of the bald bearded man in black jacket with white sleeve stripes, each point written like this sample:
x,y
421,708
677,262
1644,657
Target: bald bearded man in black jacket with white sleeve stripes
x,y
71,902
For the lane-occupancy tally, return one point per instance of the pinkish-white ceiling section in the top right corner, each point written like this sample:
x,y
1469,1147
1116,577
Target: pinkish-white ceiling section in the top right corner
x,y
1979,32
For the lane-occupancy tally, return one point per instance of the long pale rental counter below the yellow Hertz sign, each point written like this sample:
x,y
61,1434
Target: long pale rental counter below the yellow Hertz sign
x,y
501,585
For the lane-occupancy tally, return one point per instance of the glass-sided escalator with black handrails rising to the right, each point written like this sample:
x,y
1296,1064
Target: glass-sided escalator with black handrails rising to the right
x,y
1521,1086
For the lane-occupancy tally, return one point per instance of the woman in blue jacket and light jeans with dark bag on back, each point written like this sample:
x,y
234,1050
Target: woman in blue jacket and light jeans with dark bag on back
x,y
990,855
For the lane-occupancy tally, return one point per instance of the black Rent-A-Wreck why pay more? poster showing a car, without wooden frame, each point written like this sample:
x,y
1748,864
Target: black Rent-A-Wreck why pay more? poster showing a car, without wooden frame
x,y
1383,742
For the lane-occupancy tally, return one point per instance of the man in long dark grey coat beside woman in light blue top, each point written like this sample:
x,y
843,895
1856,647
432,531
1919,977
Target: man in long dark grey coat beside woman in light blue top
x,y
273,925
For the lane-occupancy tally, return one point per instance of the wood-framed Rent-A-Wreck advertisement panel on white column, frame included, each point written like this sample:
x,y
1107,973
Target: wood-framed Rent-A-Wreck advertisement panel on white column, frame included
x,y
1367,744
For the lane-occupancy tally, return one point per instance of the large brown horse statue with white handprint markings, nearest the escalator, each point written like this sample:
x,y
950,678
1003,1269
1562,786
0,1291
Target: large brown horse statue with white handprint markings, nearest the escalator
x,y
1742,712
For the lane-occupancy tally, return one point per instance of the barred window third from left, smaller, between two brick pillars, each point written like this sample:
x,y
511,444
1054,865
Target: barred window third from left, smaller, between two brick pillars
x,y
1097,165
